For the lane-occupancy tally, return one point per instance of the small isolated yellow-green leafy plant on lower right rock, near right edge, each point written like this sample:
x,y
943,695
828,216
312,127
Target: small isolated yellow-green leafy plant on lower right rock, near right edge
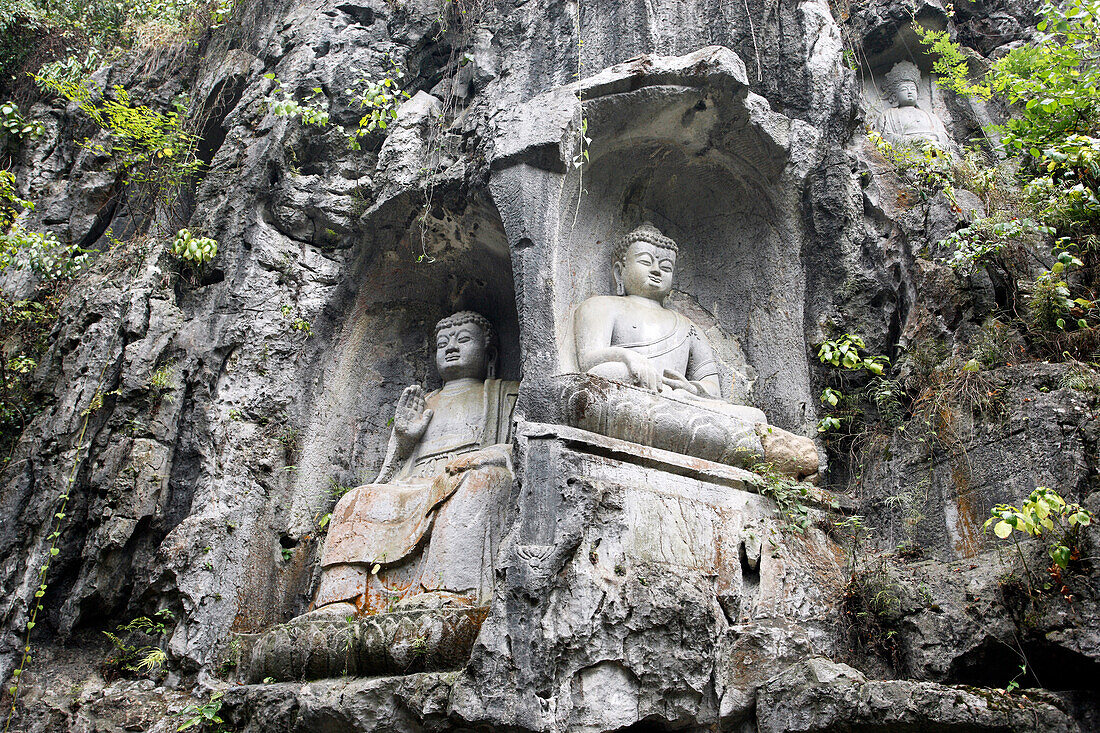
x,y
1043,515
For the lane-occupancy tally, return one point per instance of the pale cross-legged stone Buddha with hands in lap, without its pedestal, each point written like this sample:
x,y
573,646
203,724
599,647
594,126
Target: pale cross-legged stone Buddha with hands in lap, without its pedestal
x,y
633,338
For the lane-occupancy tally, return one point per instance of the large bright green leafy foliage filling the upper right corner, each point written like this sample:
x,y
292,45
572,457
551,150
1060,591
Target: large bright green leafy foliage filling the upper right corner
x,y
1053,87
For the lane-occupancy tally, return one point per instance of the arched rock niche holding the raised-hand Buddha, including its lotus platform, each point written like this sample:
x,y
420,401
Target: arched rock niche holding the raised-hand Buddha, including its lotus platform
x,y
410,614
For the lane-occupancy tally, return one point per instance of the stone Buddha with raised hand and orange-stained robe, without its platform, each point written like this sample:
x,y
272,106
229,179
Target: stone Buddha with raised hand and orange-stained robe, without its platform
x,y
424,533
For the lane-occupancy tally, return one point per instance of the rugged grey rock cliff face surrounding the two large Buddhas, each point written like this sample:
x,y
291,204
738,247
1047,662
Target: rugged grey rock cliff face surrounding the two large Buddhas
x,y
741,126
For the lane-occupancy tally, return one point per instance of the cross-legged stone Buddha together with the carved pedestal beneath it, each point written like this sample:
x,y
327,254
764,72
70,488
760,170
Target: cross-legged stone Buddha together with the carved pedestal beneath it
x,y
675,399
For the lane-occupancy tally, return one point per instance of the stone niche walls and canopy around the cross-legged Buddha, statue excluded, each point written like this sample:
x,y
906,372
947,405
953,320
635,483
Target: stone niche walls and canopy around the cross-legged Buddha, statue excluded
x,y
680,143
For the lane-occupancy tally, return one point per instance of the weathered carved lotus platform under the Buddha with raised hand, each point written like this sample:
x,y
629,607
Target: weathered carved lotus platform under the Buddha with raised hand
x,y
400,642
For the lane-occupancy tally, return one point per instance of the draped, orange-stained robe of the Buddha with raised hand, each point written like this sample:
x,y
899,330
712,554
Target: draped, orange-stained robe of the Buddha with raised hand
x,y
434,528
